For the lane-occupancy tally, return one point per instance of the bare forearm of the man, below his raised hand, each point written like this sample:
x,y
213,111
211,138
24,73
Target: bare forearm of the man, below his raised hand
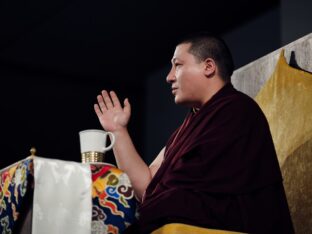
x,y
130,162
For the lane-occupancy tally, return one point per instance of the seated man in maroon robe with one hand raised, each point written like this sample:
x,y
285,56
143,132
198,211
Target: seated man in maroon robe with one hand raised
x,y
219,169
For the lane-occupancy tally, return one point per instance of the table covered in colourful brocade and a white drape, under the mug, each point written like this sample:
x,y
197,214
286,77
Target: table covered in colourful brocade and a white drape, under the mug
x,y
40,195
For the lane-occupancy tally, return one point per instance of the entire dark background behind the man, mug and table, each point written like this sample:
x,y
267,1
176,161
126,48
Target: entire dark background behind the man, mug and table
x,y
56,56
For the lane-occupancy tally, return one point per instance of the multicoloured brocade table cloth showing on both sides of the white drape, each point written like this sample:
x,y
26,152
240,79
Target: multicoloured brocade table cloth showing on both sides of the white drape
x,y
114,204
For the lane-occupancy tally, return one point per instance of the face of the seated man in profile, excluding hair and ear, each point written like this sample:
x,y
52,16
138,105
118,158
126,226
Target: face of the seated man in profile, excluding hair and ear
x,y
187,77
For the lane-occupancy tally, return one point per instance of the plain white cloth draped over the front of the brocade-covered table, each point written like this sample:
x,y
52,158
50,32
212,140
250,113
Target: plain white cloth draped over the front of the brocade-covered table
x,y
62,197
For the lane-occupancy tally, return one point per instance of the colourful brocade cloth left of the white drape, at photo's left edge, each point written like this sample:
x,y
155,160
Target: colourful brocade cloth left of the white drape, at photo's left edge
x,y
15,182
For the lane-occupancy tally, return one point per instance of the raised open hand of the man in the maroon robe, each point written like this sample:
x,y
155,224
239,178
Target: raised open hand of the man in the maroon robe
x,y
111,114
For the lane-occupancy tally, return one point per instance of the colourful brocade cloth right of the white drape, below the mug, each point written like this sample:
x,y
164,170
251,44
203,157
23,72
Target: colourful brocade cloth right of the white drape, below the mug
x,y
114,203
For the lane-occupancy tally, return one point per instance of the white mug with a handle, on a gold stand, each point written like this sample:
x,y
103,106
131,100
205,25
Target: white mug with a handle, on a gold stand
x,y
94,141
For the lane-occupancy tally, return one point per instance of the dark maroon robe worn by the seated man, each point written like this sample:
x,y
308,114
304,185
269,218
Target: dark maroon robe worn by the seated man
x,y
220,171
